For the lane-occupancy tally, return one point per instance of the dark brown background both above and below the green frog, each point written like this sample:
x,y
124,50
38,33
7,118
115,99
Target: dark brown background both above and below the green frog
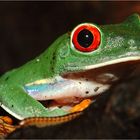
x,y
28,28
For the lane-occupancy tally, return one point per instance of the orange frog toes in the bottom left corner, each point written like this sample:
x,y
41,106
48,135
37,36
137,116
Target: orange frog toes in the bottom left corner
x,y
6,126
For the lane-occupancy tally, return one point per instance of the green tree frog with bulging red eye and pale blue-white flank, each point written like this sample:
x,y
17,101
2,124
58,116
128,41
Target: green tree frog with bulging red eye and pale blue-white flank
x,y
73,71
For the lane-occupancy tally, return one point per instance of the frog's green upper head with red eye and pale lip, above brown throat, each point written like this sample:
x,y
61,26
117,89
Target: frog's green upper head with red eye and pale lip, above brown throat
x,y
90,46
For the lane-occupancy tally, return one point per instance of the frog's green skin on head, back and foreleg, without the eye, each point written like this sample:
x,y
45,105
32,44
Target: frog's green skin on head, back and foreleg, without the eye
x,y
118,41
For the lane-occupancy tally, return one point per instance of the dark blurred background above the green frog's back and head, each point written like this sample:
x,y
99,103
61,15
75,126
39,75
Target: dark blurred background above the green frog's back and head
x,y
28,28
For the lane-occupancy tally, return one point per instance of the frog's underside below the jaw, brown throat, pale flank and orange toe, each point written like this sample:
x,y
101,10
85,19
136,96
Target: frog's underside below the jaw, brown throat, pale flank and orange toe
x,y
74,91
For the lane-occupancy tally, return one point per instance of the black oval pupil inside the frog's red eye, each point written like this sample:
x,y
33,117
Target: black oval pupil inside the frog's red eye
x,y
85,38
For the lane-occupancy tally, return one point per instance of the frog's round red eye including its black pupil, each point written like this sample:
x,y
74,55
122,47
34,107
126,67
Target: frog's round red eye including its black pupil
x,y
86,38
